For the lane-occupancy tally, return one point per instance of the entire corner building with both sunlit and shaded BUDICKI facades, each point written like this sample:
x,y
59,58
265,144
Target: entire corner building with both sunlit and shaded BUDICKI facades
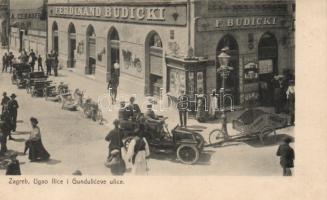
x,y
172,46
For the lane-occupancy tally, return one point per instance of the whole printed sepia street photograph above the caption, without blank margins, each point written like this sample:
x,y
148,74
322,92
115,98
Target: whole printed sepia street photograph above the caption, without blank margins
x,y
138,88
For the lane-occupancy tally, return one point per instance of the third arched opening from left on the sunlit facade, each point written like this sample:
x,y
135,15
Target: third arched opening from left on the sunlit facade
x,y
90,50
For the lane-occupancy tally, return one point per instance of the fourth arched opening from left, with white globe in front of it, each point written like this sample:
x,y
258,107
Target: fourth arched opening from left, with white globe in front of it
x,y
113,53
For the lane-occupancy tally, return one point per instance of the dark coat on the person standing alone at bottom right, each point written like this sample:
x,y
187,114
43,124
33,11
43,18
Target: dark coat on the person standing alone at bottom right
x,y
286,154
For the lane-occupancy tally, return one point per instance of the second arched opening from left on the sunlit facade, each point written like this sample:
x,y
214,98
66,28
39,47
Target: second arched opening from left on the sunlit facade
x,y
71,45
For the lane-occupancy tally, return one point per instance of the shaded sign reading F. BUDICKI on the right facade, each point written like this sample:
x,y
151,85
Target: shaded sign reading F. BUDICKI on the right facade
x,y
227,23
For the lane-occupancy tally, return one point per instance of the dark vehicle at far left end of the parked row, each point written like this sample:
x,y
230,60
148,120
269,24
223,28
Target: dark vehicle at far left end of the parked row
x,y
20,74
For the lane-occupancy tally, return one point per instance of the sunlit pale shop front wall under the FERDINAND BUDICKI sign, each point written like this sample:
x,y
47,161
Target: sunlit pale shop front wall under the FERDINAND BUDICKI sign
x,y
132,39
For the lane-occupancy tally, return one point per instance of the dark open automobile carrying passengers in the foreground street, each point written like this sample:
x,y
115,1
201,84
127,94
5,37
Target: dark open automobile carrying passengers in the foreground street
x,y
185,144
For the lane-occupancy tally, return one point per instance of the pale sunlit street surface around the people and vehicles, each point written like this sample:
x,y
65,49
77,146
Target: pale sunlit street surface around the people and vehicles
x,y
78,143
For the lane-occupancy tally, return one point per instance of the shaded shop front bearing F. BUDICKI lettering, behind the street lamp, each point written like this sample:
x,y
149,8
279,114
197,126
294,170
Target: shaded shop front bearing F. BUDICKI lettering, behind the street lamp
x,y
254,41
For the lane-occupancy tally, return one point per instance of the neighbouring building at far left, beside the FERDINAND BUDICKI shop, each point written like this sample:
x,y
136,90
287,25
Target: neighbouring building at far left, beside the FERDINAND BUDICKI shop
x,y
28,26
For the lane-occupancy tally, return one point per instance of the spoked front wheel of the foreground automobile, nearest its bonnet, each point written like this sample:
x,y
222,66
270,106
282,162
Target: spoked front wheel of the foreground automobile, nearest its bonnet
x,y
188,154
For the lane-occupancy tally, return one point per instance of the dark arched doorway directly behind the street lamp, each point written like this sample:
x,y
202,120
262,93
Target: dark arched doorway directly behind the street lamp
x,y
232,82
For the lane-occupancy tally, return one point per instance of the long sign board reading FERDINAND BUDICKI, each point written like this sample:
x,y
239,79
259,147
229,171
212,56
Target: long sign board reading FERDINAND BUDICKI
x,y
167,15
